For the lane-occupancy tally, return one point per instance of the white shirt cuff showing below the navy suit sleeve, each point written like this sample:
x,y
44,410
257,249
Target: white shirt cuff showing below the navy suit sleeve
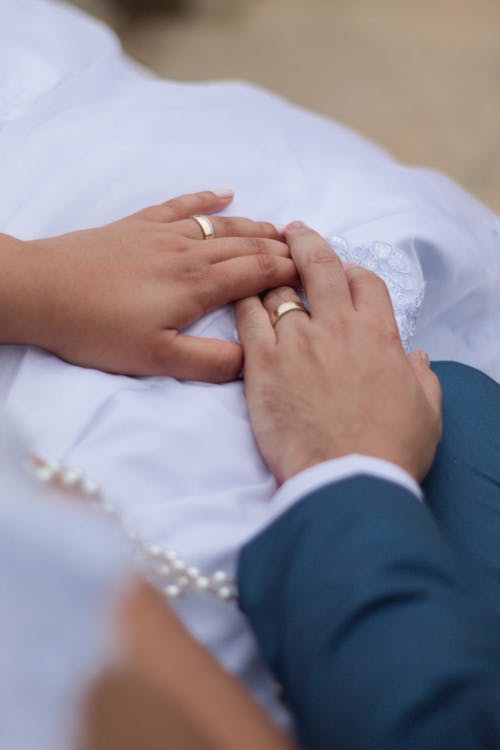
x,y
338,470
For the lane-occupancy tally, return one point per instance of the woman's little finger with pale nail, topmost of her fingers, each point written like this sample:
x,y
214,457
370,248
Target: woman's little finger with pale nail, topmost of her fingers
x,y
184,206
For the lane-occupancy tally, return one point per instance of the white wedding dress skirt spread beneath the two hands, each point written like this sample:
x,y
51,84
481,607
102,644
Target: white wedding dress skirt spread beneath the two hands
x,y
86,137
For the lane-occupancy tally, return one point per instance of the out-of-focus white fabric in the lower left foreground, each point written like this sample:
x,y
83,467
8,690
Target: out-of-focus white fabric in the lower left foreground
x,y
62,571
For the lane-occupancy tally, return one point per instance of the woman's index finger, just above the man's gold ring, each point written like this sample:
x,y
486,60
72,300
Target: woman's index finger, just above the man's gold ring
x,y
234,279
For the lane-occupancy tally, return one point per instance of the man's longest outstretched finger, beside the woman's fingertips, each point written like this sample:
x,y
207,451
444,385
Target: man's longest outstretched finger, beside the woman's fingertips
x,y
320,270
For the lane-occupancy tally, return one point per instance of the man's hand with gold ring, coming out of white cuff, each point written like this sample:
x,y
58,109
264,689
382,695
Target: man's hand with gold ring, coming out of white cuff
x,y
337,382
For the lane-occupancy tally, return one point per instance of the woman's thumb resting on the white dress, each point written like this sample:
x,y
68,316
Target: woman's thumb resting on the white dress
x,y
192,358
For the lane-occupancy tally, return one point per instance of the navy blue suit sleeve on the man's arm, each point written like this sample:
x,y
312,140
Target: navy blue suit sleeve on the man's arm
x,y
360,612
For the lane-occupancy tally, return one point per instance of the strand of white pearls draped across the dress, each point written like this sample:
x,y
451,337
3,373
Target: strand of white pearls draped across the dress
x,y
163,567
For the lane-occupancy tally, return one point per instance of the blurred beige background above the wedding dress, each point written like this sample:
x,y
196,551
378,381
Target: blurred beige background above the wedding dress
x,y
421,78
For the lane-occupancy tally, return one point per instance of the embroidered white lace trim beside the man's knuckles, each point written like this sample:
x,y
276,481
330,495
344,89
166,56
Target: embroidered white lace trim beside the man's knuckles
x,y
399,269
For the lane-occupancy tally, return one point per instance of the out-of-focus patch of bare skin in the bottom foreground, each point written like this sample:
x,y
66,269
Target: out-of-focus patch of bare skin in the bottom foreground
x,y
167,691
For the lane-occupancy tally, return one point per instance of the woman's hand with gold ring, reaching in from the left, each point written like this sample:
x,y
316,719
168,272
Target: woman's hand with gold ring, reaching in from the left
x,y
117,297
